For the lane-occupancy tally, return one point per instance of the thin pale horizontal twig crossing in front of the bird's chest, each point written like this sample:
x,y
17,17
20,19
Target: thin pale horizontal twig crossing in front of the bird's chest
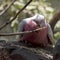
x,y
20,33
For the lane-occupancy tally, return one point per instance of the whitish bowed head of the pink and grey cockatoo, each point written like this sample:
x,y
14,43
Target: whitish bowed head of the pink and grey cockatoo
x,y
40,20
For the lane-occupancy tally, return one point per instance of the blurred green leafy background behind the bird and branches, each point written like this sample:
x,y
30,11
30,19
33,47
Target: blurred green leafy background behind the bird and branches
x,y
48,8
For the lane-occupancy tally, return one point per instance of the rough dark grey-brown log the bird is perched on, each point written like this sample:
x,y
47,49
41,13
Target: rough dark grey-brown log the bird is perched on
x,y
20,51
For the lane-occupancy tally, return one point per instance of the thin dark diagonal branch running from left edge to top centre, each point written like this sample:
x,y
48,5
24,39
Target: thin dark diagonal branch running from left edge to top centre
x,y
8,22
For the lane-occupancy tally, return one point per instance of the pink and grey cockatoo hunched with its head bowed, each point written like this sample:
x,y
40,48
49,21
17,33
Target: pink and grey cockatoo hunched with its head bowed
x,y
42,37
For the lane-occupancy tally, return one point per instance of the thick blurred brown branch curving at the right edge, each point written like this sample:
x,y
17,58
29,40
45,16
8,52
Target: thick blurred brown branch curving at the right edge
x,y
54,20
